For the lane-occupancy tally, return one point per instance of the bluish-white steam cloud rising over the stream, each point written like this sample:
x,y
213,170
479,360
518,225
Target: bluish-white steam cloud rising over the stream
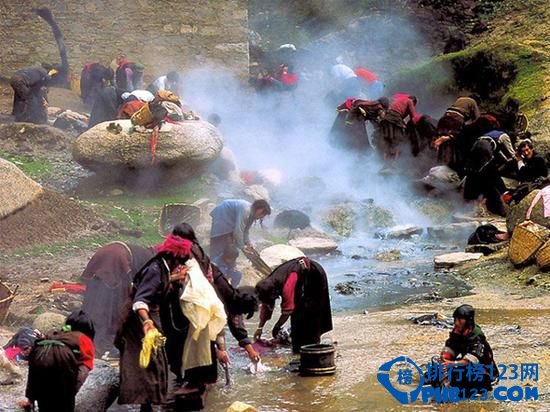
x,y
289,130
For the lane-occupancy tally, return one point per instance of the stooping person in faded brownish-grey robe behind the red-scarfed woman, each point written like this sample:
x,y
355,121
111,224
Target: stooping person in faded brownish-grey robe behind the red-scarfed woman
x,y
108,277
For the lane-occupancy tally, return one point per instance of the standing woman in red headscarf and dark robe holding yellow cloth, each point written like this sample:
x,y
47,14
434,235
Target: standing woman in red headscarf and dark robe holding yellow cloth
x,y
155,288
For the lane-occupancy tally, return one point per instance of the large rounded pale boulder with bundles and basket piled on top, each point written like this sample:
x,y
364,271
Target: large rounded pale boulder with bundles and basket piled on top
x,y
188,146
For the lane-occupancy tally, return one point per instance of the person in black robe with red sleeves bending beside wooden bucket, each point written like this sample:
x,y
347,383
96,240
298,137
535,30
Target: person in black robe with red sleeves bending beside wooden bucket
x,y
302,285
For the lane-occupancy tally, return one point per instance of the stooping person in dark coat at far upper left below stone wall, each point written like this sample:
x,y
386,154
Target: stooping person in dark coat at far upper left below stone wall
x,y
30,95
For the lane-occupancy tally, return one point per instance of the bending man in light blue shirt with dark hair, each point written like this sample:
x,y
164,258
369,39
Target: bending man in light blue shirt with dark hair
x,y
231,223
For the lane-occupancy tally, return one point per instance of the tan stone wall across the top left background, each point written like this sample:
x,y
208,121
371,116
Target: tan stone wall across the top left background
x,y
163,35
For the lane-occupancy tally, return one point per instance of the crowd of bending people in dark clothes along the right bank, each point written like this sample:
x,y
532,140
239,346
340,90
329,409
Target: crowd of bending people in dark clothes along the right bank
x,y
481,148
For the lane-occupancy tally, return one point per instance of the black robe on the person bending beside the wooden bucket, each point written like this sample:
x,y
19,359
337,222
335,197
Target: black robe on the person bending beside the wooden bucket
x,y
312,314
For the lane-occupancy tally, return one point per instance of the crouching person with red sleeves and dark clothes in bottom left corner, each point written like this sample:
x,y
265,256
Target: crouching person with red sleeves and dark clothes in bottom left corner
x,y
59,363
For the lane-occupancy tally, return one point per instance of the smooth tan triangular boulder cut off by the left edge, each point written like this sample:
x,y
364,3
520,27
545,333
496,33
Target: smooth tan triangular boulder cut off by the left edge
x,y
17,190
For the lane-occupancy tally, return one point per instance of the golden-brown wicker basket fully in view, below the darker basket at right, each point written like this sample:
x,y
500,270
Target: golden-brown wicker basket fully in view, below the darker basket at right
x,y
527,239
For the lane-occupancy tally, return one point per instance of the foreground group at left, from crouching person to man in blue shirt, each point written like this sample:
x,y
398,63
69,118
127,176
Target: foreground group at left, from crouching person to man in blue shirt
x,y
163,310
